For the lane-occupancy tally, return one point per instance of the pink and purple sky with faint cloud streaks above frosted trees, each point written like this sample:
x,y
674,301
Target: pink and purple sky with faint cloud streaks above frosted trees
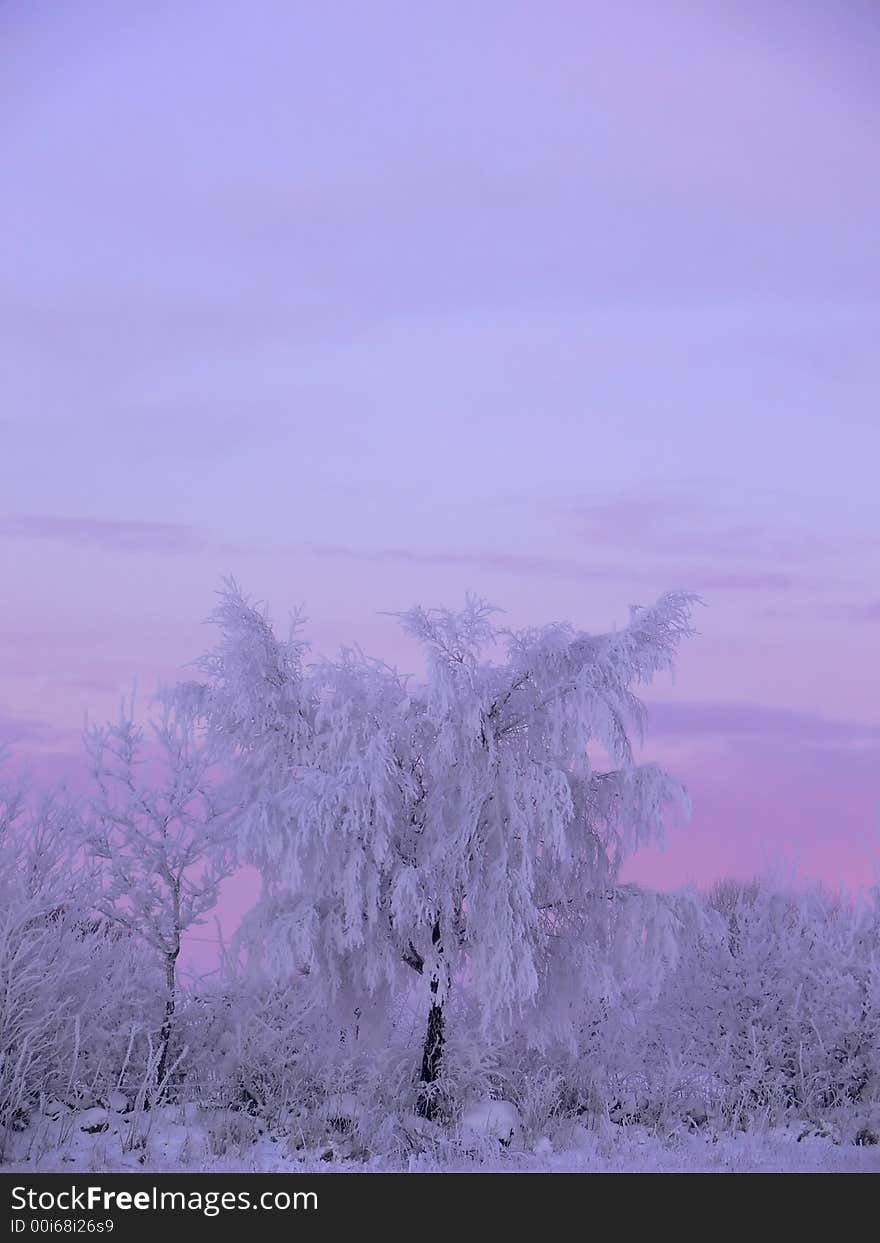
x,y
567,304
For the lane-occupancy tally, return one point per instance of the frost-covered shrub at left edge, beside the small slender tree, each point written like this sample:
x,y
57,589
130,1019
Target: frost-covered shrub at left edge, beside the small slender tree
x,y
75,994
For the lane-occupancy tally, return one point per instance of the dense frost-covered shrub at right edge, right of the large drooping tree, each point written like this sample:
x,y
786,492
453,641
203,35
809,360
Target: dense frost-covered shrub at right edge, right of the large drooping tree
x,y
780,1016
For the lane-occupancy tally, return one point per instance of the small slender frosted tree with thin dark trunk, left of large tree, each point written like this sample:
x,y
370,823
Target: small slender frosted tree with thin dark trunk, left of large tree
x,y
163,845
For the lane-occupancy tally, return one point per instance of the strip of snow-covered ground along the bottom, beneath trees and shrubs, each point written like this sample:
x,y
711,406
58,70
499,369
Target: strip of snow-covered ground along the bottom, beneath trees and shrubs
x,y
176,1139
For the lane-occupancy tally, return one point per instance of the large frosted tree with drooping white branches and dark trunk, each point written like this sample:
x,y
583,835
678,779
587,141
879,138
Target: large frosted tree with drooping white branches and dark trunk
x,y
464,830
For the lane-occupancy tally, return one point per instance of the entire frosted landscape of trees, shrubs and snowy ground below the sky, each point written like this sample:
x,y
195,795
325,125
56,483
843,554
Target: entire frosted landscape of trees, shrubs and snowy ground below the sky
x,y
443,969
